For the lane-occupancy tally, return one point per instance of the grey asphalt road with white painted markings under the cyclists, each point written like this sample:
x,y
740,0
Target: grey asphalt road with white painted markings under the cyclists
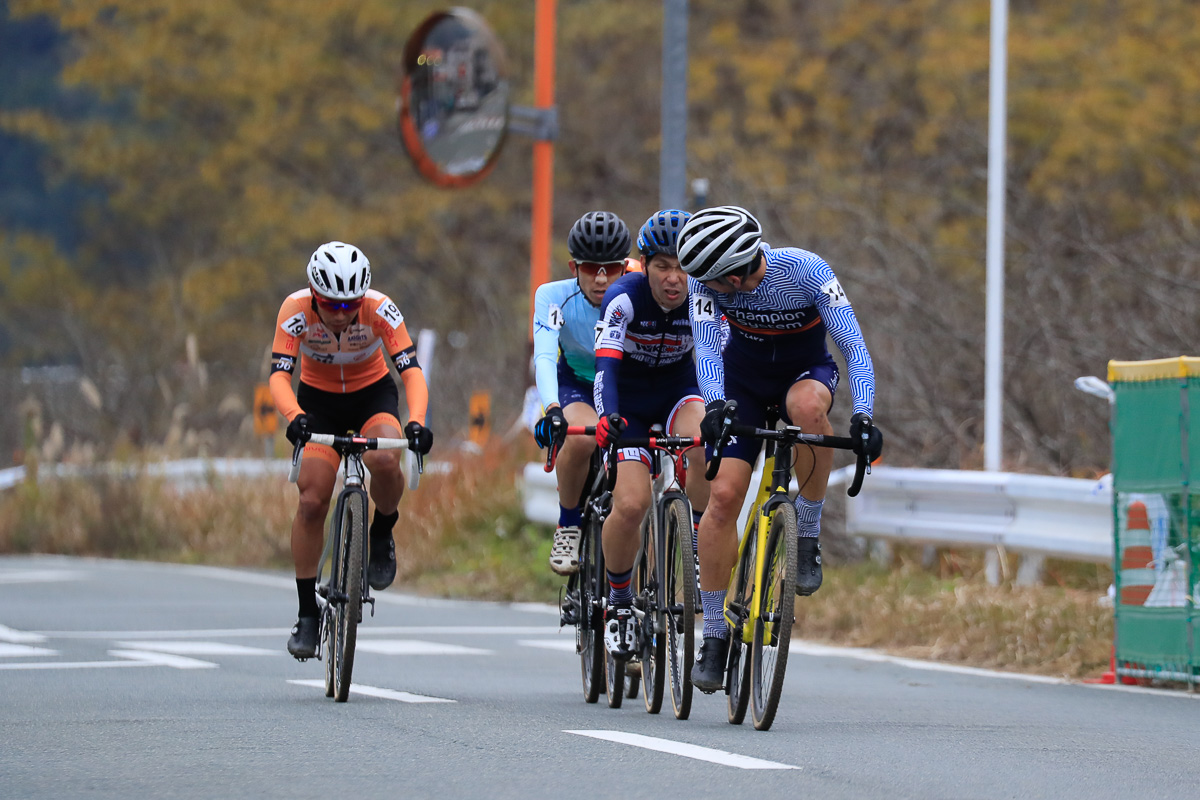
x,y
147,681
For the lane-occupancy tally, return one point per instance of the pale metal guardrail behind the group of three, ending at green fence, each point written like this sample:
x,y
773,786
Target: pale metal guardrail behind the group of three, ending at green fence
x,y
1035,515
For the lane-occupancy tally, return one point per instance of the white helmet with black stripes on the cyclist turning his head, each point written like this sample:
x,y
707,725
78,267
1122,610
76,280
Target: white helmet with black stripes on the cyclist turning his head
x,y
718,242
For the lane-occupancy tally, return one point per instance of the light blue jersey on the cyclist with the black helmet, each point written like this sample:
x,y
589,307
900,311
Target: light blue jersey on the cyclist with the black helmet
x,y
565,327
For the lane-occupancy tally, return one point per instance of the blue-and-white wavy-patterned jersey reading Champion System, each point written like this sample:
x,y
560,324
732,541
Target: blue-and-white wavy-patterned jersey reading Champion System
x,y
783,323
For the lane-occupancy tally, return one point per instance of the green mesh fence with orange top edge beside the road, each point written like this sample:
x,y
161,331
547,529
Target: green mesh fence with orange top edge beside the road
x,y
1156,449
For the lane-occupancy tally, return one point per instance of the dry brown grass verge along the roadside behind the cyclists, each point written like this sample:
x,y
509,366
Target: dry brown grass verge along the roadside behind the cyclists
x,y
463,534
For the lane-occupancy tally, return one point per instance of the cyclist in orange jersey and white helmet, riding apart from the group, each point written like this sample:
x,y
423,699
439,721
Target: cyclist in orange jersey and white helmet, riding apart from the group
x,y
339,329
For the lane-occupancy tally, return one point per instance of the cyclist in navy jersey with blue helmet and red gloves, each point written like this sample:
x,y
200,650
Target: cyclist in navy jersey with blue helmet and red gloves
x,y
645,376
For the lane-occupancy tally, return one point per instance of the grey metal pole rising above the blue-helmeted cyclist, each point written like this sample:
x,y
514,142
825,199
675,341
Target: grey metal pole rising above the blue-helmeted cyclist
x,y
674,153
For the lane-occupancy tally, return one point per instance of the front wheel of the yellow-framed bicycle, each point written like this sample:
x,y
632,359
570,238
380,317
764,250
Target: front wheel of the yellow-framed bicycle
x,y
773,629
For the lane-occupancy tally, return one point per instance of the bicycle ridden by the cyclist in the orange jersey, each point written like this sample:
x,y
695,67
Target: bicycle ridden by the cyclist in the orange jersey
x,y
347,592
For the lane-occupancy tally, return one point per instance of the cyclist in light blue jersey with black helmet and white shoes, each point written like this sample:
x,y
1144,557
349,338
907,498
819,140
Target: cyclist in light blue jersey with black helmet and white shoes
x,y
565,330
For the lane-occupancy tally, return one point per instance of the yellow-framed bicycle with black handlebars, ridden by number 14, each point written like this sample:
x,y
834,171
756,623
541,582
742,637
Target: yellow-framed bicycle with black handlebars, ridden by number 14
x,y
761,597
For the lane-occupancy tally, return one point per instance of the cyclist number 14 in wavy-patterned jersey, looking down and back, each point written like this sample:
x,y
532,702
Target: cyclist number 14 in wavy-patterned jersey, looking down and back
x,y
781,303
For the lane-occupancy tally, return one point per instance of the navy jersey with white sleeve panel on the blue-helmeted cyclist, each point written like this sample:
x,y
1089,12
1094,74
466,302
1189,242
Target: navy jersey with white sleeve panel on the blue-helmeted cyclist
x,y
640,347
